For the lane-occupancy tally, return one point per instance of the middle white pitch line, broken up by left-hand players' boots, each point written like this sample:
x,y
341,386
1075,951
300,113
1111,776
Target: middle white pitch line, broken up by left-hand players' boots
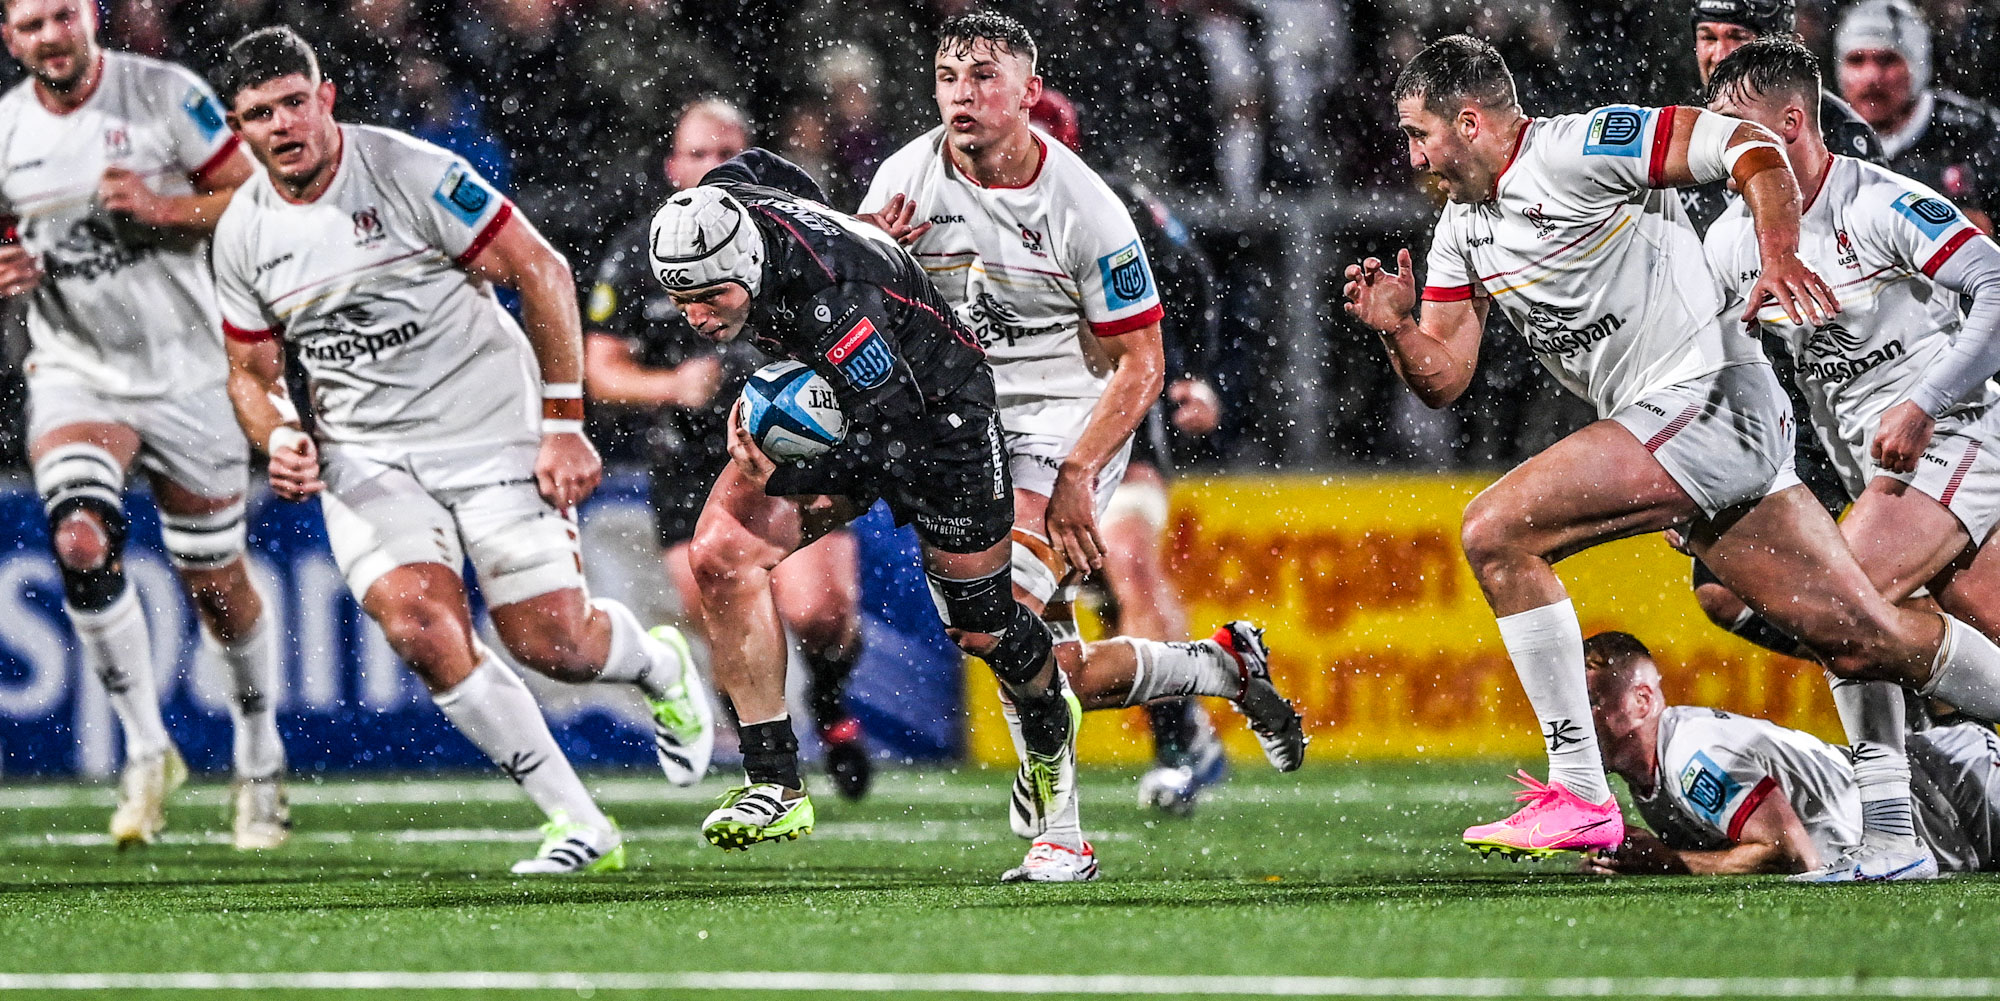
x,y
967,832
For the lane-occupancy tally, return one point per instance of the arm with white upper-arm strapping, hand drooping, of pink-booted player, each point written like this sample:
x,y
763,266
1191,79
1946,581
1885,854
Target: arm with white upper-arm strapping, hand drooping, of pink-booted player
x,y
1711,147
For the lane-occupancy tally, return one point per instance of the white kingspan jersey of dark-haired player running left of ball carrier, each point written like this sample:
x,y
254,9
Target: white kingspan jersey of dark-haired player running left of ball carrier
x,y
367,283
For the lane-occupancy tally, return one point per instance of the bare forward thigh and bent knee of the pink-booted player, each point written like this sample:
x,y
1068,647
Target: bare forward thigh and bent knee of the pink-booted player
x,y
1591,487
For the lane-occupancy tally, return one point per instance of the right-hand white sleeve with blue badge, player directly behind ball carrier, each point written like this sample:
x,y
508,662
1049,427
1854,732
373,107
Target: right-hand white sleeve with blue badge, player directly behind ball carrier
x,y
1111,267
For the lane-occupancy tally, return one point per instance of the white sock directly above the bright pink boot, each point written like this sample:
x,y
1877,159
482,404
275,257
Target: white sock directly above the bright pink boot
x,y
1549,658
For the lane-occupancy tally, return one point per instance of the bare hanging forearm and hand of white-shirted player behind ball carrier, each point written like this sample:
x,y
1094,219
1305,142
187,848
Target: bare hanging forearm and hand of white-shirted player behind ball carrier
x,y
1139,369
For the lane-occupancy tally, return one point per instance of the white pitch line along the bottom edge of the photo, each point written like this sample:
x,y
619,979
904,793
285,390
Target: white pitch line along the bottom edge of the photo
x,y
1019,984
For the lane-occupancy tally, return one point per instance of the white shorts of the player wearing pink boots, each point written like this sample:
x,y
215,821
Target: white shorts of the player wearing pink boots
x,y
1727,437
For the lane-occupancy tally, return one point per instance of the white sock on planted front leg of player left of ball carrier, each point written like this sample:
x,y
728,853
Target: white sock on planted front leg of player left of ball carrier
x,y
499,716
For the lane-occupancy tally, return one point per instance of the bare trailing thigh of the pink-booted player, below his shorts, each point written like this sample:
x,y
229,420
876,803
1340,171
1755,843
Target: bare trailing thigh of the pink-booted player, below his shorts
x,y
1789,562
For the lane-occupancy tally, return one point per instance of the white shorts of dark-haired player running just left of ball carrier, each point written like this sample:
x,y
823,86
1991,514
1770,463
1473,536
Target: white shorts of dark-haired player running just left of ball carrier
x,y
447,506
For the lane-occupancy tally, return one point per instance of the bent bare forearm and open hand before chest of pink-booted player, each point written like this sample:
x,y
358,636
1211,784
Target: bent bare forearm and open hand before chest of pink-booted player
x,y
1433,355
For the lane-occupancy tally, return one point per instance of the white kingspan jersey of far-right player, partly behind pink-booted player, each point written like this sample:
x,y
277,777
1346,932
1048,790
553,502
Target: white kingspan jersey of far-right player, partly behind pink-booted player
x,y
1877,239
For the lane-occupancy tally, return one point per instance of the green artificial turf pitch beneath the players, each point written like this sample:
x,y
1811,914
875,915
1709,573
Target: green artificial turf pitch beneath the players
x,y
1335,872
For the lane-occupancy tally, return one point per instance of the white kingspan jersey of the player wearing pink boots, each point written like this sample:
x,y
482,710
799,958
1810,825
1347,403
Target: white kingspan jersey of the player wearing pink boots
x,y
1591,261
